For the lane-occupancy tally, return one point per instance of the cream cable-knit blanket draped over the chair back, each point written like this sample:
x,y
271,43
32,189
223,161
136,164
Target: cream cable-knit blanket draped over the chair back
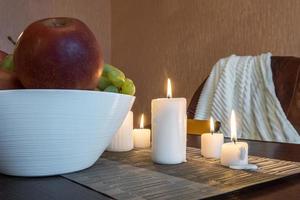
x,y
245,84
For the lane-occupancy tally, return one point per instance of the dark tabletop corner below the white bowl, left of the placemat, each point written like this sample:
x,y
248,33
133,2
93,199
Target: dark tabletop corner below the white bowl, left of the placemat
x,y
45,188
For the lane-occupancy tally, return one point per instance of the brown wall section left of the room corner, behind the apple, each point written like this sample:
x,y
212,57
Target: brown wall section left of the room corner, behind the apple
x,y
15,15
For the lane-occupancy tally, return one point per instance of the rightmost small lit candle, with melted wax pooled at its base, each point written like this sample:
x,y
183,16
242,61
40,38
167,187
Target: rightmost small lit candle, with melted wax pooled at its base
x,y
234,153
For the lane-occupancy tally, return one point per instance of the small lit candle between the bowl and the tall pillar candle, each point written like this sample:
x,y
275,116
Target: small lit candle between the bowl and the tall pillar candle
x,y
141,136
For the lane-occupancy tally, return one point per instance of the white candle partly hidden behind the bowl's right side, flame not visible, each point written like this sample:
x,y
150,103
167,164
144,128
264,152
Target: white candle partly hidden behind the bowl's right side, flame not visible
x,y
123,139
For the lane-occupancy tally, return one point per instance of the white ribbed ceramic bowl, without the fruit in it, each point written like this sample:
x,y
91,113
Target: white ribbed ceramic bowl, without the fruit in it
x,y
50,132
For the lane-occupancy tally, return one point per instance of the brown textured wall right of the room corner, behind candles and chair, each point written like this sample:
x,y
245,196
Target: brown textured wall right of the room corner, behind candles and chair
x,y
182,39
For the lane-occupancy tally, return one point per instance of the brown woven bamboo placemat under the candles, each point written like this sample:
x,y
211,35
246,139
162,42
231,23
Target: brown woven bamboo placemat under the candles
x,y
132,175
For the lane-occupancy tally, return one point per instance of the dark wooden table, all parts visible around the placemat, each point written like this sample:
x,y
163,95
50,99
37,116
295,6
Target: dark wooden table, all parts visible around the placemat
x,y
57,187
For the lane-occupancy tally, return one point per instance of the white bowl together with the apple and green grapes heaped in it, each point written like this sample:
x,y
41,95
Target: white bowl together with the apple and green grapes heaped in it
x,y
60,122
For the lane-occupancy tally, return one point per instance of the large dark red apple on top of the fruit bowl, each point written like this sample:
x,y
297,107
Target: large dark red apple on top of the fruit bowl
x,y
58,53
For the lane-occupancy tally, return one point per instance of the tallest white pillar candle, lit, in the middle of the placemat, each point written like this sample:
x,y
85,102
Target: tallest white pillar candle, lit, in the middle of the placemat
x,y
169,129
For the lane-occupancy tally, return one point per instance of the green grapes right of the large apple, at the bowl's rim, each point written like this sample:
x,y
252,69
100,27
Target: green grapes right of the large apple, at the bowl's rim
x,y
114,80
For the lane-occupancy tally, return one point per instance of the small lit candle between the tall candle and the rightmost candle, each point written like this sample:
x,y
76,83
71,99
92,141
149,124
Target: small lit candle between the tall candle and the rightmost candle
x,y
211,143
